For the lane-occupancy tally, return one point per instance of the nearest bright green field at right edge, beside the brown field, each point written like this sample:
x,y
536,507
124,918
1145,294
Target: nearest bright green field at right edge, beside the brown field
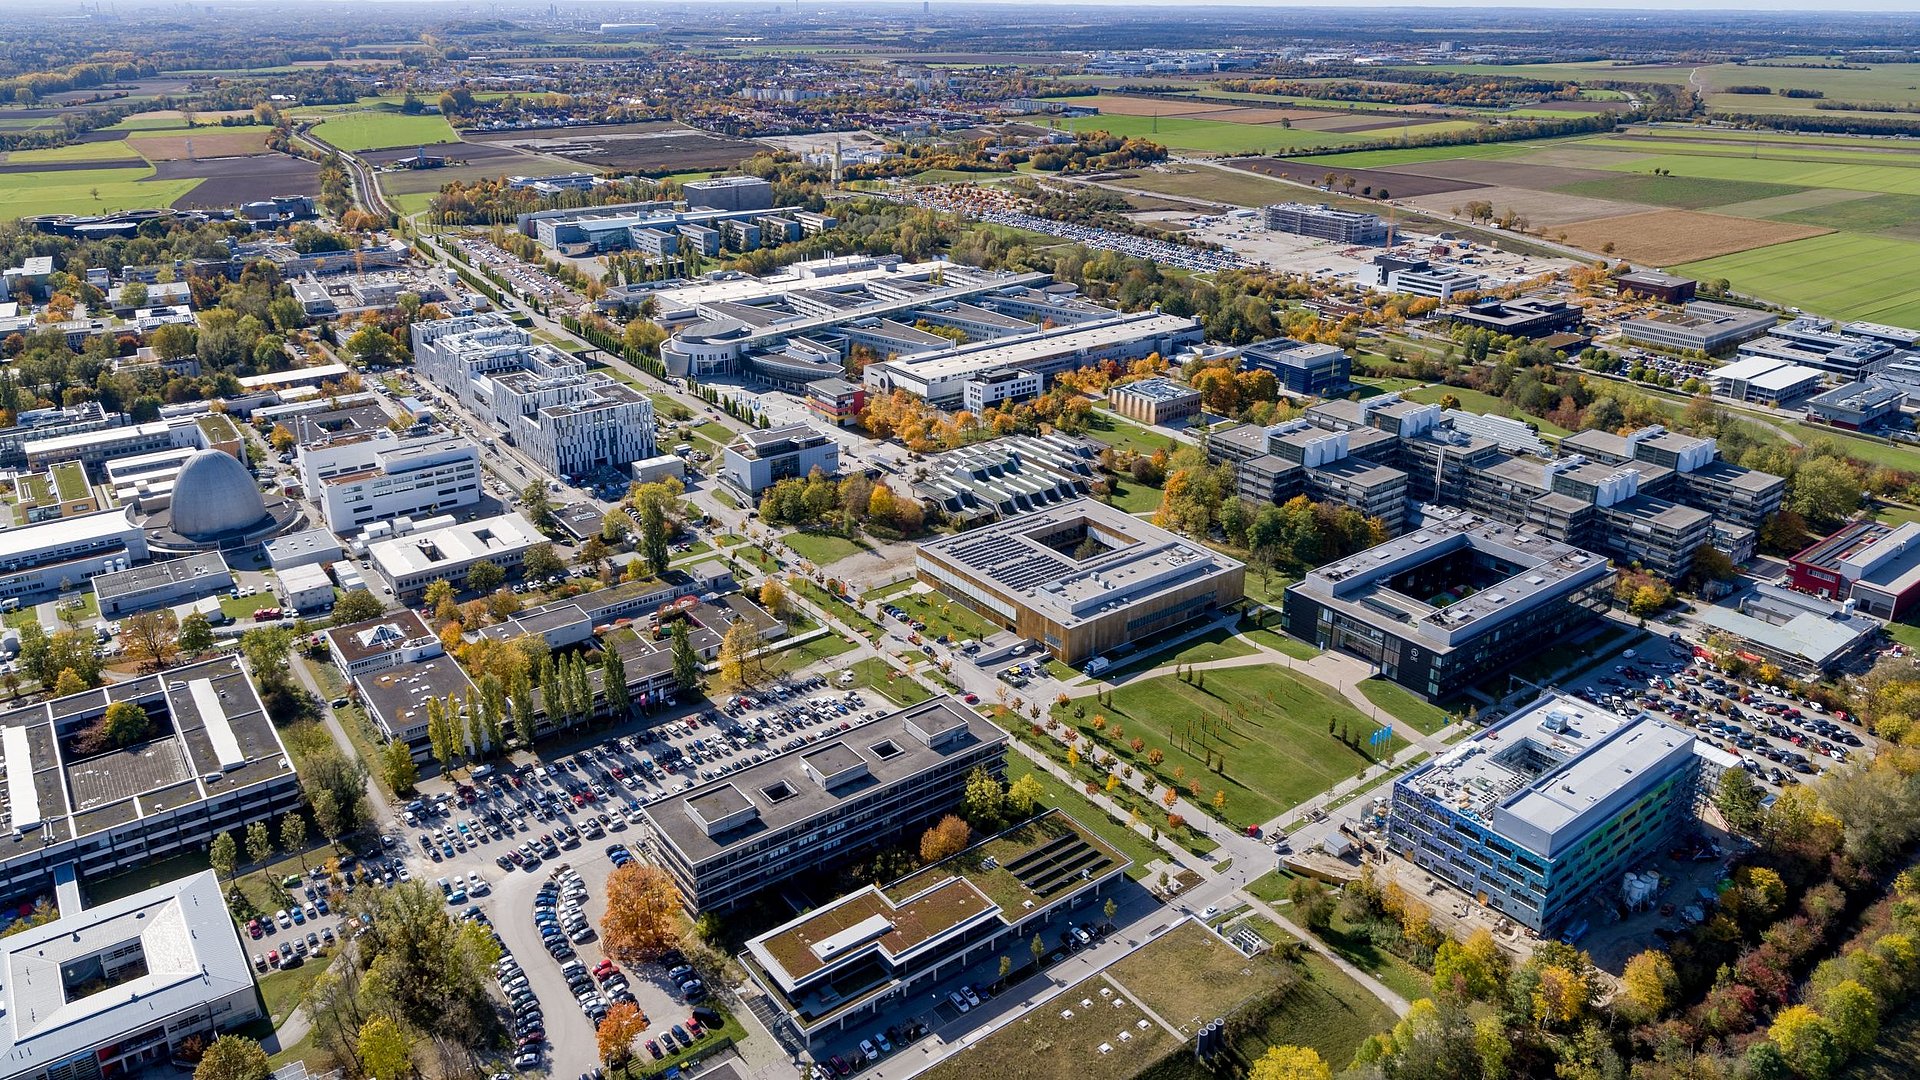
x,y
1842,274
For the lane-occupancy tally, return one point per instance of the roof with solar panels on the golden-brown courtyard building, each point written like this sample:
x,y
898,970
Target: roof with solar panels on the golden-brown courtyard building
x,y
1080,560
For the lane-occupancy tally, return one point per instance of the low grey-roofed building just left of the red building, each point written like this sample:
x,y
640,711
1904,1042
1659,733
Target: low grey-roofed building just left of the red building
x,y
1806,637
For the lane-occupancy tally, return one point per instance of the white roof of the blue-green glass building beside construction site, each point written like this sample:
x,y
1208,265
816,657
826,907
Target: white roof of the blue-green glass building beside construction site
x,y
1552,772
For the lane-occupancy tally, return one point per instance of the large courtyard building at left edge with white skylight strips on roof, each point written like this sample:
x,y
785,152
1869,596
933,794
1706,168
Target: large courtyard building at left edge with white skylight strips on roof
x,y
212,764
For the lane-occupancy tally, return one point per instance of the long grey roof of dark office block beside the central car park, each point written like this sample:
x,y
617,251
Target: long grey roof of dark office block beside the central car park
x,y
782,793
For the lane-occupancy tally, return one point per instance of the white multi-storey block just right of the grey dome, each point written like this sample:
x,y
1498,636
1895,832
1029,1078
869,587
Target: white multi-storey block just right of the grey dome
x,y
360,479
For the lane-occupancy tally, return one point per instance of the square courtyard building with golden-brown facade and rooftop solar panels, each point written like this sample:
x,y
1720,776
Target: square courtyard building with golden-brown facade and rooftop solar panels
x,y
1082,579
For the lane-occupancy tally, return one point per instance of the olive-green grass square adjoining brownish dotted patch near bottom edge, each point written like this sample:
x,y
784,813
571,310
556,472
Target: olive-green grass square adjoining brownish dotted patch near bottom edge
x,y
1191,975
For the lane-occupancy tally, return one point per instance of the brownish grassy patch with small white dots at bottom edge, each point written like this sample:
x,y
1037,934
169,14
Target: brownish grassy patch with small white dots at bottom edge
x,y
1063,1043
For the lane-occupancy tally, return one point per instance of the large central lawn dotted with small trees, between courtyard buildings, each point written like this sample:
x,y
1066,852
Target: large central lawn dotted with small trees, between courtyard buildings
x,y
1268,722
